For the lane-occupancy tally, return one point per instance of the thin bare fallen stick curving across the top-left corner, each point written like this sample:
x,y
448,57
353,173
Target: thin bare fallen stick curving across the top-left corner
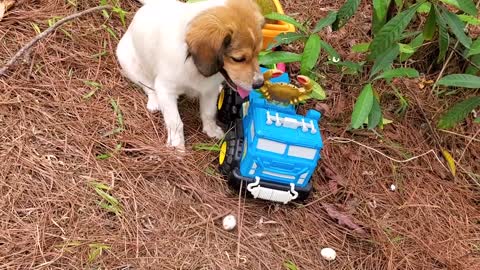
x,y
45,33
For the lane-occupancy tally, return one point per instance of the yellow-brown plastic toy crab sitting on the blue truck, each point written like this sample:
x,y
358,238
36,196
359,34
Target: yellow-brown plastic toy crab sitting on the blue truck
x,y
284,92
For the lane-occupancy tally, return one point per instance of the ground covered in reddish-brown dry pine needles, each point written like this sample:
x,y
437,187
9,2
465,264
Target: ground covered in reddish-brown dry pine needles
x,y
51,135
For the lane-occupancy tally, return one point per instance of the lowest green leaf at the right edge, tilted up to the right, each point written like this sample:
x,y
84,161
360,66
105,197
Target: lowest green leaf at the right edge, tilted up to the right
x,y
458,112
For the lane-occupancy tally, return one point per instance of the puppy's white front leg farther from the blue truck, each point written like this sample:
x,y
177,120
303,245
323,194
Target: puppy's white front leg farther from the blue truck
x,y
167,103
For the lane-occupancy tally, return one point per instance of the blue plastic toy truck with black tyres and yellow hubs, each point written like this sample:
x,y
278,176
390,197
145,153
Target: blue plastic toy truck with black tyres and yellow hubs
x,y
269,147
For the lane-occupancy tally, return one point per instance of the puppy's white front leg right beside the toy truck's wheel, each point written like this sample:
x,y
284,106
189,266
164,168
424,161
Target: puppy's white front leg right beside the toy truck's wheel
x,y
208,109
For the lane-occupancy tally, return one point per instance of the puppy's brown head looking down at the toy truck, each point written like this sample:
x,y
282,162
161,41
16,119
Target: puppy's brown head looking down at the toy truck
x,y
228,39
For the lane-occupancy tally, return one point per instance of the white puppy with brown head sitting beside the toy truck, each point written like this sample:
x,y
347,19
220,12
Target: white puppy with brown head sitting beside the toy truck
x,y
173,48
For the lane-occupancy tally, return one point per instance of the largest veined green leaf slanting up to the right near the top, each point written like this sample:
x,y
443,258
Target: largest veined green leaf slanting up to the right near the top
x,y
391,32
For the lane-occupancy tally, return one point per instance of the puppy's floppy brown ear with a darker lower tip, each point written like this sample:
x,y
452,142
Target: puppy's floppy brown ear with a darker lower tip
x,y
207,39
